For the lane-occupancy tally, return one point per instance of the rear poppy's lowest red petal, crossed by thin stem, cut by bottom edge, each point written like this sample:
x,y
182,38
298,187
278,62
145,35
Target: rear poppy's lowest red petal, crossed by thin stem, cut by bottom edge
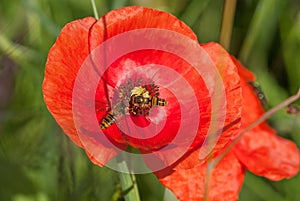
x,y
224,184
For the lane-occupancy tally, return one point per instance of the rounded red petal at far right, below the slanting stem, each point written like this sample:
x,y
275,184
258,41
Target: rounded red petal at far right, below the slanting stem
x,y
266,154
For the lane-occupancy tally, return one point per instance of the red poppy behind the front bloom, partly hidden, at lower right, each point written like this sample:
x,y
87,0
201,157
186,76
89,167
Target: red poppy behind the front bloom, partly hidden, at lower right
x,y
260,151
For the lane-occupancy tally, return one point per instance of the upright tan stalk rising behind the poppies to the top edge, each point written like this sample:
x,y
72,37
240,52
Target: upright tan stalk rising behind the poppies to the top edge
x,y
227,23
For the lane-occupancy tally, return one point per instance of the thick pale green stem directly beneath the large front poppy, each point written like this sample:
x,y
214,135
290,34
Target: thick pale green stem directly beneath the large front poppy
x,y
128,183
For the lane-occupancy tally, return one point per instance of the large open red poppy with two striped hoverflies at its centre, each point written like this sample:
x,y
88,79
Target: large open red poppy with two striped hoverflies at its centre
x,y
160,63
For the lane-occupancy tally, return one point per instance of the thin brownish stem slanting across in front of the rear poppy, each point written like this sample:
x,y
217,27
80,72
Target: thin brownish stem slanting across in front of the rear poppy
x,y
212,163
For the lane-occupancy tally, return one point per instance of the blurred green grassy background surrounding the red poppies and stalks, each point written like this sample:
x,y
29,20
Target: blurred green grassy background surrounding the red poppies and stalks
x,y
38,162
